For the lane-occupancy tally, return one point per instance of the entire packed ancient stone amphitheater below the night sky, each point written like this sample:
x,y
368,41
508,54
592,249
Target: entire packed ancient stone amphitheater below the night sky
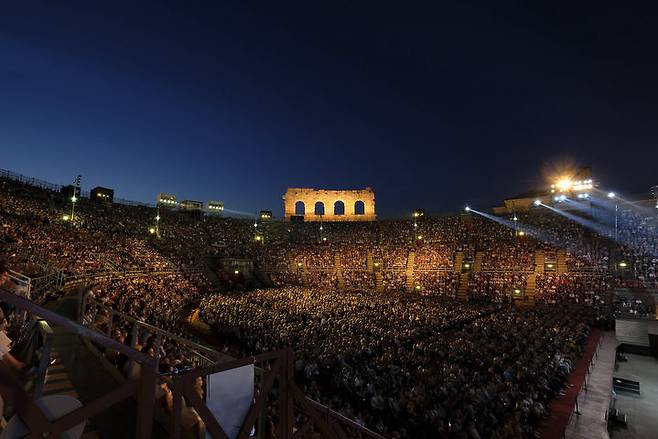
x,y
420,327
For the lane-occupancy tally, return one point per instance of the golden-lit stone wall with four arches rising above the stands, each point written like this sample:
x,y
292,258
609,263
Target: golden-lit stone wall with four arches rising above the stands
x,y
330,205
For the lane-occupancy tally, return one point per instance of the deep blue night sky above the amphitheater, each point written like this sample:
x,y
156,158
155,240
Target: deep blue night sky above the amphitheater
x,y
432,106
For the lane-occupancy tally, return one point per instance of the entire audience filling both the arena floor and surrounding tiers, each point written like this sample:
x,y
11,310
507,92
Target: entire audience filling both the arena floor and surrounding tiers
x,y
488,369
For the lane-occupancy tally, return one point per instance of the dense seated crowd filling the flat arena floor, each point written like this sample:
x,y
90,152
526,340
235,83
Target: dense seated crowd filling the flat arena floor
x,y
487,370
